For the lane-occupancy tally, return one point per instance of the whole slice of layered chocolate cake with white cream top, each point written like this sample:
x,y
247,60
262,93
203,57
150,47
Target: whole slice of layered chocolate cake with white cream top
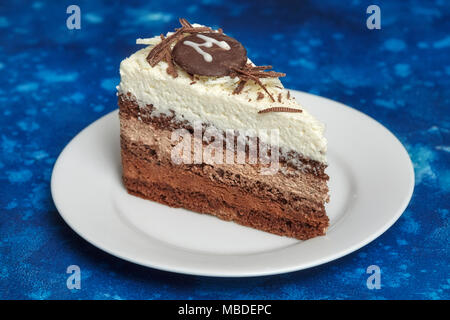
x,y
205,129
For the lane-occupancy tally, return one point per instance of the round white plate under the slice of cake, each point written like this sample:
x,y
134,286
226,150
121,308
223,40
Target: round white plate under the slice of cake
x,y
372,180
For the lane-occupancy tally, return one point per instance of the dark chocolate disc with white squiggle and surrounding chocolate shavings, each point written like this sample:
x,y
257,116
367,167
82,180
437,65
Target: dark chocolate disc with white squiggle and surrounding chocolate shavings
x,y
205,52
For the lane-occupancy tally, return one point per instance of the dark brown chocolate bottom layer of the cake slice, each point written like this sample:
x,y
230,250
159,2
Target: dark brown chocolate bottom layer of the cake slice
x,y
146,176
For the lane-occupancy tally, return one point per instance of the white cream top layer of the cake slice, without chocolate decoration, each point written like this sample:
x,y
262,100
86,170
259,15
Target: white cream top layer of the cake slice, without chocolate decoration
x,y
211,100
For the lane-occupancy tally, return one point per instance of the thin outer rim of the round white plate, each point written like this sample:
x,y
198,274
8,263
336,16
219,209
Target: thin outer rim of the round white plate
x,y
331,257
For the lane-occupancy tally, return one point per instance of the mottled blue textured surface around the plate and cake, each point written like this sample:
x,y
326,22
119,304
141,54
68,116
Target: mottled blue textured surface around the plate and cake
x,y
56,81
